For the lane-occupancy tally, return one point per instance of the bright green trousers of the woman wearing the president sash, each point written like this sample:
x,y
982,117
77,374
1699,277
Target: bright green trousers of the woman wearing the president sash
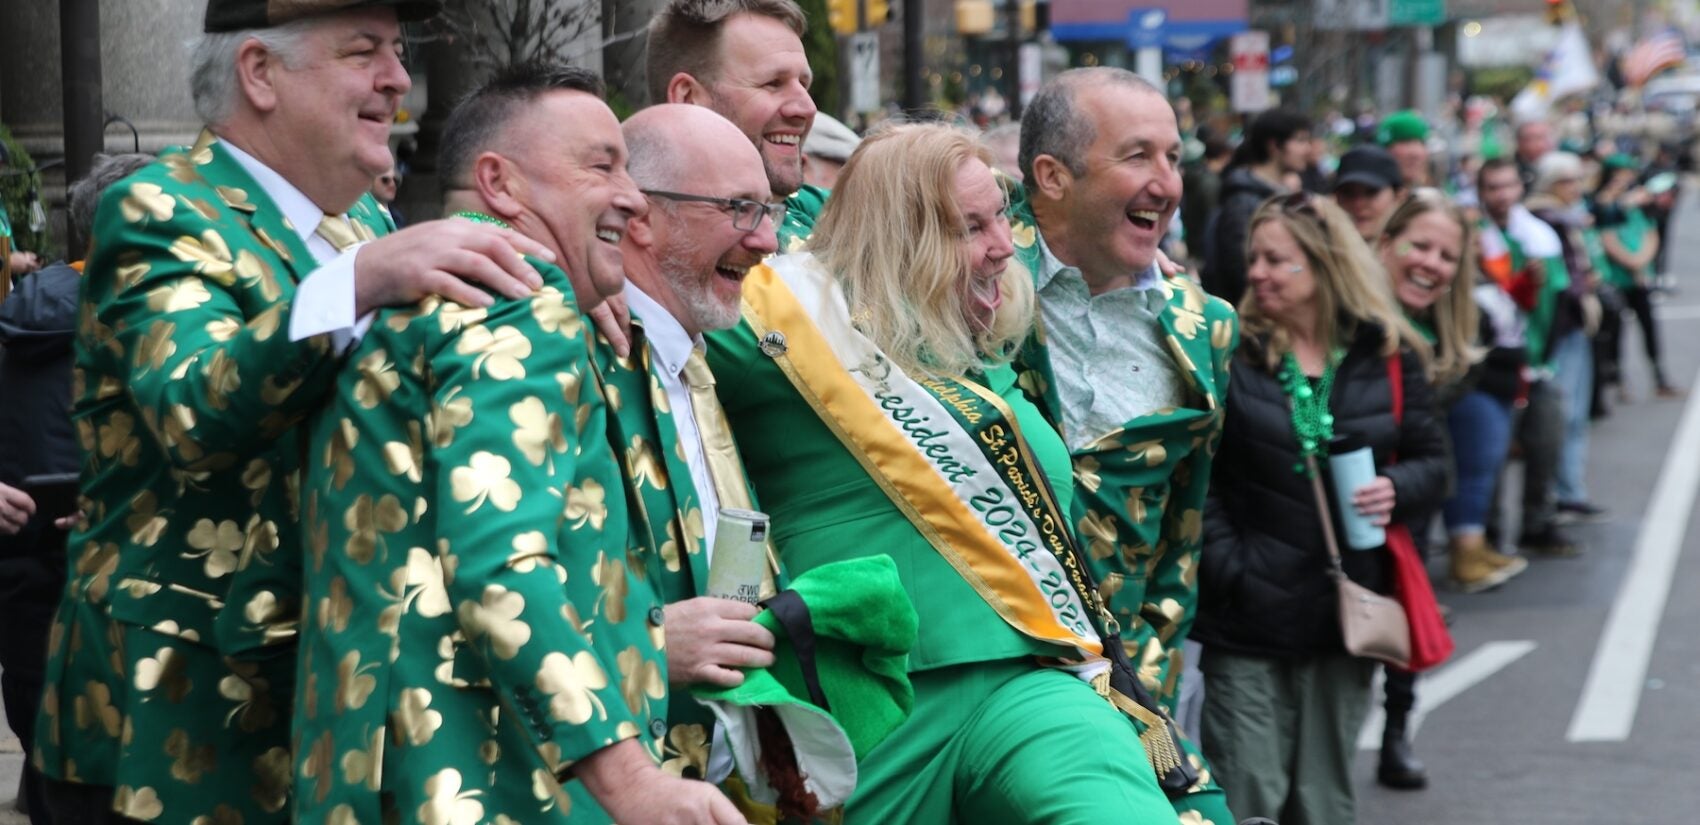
x,y
1009,742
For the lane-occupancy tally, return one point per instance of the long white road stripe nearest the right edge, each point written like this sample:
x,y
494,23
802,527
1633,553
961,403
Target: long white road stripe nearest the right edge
x,y
1616,680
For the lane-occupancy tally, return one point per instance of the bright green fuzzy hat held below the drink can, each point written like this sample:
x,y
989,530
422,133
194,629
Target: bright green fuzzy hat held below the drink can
x,y
863,632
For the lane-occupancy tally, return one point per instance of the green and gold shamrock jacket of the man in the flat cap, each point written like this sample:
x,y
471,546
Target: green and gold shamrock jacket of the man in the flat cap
x,y
173,657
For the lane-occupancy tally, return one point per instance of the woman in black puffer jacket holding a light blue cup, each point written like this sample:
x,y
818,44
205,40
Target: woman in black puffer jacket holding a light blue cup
x,y
1284,700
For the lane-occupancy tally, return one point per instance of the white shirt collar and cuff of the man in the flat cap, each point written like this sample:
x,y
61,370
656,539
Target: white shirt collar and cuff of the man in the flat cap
x,y
326,297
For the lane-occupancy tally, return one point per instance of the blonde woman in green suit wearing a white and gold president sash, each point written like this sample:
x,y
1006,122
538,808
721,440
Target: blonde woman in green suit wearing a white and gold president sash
x,y
873,401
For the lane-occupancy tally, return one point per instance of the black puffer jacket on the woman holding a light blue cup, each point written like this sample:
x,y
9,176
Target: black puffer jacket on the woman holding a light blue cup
x,y
1264,586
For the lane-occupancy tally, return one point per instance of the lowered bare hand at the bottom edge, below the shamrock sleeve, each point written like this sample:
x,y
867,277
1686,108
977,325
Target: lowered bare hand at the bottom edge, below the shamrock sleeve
x,y
632,788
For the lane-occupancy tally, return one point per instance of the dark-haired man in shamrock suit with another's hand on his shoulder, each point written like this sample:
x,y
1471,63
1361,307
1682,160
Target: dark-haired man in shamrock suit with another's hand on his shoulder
x,y
479,642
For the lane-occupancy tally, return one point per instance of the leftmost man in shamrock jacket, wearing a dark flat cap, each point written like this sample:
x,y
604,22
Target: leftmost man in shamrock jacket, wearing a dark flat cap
x,y
225,285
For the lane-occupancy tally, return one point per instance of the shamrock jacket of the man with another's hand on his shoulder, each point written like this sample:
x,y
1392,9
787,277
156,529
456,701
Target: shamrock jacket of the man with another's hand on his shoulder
x,y
477,618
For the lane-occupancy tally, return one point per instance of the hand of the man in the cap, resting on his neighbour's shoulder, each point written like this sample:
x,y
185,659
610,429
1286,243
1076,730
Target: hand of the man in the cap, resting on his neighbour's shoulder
x,y
448,258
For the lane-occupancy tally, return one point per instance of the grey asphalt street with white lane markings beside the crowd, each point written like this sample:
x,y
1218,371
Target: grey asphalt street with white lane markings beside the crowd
x,y
1519,729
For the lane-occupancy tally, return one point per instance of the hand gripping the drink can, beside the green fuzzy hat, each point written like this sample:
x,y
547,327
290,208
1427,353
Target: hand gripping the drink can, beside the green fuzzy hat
x,y
710,639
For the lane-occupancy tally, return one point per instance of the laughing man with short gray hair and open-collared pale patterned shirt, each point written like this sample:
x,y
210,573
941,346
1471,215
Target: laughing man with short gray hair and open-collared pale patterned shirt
x,y
1131,367
